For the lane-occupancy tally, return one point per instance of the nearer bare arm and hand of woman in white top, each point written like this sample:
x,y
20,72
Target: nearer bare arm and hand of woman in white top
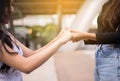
x,y
28,64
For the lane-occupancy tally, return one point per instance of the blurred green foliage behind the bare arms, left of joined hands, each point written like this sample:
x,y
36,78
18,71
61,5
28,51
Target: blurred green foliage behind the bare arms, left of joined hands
x,y
44,34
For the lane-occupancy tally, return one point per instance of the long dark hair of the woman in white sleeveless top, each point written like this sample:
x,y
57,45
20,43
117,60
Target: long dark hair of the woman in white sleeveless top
x,y
4,36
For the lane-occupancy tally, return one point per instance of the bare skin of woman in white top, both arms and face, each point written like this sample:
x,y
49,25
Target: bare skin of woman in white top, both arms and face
x,y
31,59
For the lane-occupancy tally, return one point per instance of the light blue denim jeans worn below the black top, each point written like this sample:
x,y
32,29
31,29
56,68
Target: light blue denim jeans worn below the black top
x,y
107,67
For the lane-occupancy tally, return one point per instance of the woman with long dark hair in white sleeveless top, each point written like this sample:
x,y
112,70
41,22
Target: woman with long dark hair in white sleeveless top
x,y
14,56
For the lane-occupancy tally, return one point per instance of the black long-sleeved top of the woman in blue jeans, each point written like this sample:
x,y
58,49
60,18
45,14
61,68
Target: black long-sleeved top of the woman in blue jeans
x,y
106,35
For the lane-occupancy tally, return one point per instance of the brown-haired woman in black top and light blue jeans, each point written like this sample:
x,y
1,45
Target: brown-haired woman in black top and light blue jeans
x,y
108,38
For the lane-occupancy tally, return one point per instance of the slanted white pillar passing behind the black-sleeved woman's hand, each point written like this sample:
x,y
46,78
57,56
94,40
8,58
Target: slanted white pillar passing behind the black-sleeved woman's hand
x,y
83,20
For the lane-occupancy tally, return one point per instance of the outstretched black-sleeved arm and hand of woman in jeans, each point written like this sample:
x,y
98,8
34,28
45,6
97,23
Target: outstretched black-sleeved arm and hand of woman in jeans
x,y
96,38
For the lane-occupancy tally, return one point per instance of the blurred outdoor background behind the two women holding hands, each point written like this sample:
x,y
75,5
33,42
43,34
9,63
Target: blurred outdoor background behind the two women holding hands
x,y
37,22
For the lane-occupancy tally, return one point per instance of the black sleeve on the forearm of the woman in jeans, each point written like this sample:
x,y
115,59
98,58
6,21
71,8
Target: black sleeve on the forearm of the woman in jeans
x,y
106,38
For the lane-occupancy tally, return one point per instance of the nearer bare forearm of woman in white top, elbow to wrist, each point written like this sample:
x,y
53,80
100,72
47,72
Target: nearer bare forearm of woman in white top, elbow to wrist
x,y
39,58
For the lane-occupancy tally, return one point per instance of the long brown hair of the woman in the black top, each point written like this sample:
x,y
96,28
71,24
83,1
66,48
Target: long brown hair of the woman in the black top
x,y
110,15
